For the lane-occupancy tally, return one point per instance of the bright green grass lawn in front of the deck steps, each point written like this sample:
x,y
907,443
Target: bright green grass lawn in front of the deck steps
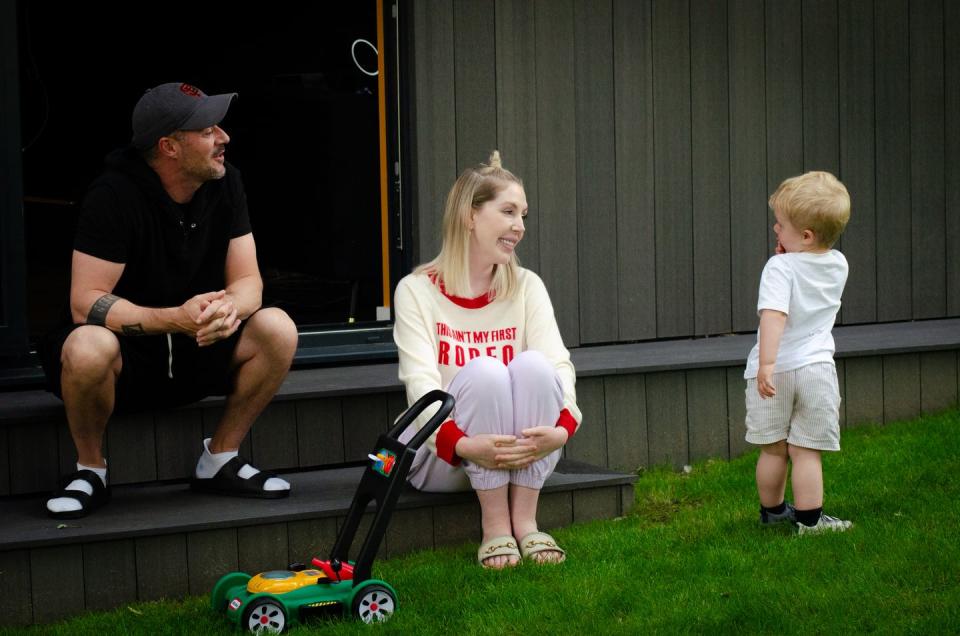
x,y
691,557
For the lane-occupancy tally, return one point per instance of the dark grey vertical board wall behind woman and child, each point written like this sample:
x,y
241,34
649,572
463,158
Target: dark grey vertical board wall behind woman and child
x,y
650,133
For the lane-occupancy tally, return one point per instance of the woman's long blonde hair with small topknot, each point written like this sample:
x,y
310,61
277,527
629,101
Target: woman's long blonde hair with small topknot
x,y
474,187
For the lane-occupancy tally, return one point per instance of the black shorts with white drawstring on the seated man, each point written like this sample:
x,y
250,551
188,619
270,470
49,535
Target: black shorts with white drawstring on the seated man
x,y
145,380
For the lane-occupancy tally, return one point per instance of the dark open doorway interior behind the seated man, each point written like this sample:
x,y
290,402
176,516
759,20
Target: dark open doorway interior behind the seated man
x,y
304,133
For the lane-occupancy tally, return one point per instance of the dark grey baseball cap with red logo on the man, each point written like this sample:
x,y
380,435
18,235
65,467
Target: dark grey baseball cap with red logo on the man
x,y
175,106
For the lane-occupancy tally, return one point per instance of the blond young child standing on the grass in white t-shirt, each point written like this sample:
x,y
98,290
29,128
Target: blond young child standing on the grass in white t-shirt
x,y
793,398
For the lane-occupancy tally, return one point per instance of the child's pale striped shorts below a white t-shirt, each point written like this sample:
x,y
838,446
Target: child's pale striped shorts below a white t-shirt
x,y
805,411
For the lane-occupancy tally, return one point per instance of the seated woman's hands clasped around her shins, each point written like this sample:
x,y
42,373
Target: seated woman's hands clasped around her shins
x,y
508,452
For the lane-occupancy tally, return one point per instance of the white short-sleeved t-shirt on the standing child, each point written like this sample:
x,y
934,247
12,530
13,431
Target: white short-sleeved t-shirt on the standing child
x,y
807,287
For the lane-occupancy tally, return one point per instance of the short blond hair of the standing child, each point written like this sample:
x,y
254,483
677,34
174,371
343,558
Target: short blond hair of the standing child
x,y
815,201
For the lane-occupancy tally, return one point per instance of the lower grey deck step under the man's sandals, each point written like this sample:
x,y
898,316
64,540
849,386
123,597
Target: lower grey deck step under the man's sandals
x,y
163,541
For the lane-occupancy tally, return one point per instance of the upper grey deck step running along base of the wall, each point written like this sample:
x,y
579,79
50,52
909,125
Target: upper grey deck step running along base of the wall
x,y
668,402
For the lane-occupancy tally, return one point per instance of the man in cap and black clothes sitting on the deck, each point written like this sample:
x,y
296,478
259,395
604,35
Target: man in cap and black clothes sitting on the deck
x,y
165,299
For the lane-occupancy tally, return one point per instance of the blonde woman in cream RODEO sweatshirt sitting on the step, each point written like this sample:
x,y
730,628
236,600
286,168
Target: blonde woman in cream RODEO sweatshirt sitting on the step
x,y
476,324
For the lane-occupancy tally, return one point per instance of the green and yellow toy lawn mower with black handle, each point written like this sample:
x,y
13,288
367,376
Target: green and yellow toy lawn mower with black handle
x,y
272,601
